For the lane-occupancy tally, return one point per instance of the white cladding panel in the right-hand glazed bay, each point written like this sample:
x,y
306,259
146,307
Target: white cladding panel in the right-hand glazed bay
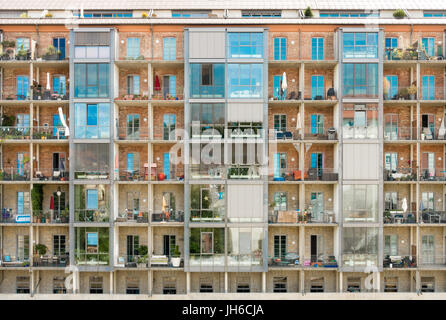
x,y
361,161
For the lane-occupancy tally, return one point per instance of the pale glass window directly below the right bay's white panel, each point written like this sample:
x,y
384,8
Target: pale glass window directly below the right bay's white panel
x,y
360,203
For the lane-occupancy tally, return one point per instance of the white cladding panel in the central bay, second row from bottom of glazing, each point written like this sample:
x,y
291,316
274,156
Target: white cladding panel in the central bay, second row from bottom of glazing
x,y
245,202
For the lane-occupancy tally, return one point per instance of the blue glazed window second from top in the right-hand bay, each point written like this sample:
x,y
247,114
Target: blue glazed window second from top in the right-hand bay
x,y
360,80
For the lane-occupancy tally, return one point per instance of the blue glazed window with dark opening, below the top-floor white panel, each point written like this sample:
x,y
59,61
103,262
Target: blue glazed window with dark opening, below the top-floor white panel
x,y
207,80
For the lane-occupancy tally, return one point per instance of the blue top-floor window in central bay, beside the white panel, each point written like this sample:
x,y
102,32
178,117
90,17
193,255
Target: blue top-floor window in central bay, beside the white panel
x,y
245,44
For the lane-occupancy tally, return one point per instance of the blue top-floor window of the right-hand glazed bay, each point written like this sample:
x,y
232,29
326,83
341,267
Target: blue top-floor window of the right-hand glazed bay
x,y
360,45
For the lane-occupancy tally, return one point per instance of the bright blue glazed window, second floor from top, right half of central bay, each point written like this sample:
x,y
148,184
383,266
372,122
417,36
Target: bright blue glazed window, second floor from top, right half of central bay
x,y
245,80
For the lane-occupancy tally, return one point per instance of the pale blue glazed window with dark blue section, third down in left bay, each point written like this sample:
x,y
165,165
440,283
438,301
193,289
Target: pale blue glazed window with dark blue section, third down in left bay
x,y
92,121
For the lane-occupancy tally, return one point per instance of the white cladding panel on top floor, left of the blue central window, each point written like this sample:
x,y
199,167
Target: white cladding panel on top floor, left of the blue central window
x,y
206,45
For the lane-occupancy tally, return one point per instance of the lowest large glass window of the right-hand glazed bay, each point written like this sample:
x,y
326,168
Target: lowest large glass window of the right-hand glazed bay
x,y
360,246
